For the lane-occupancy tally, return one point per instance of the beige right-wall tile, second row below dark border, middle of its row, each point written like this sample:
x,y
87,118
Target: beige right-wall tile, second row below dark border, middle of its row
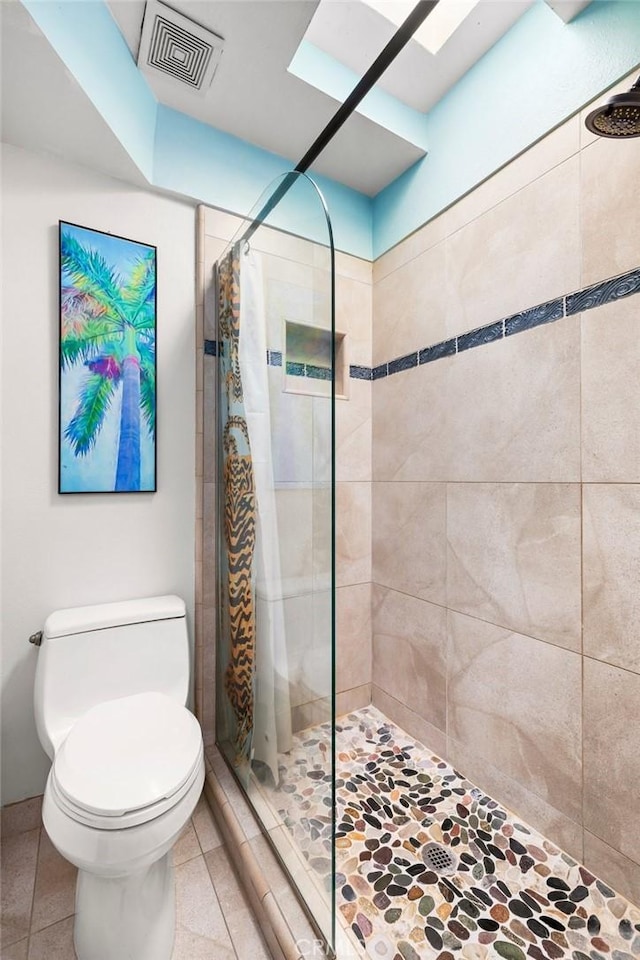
x,y
513,557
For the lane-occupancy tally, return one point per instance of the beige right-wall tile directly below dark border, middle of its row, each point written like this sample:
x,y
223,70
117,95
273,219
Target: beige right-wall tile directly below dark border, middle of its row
x,y
513,407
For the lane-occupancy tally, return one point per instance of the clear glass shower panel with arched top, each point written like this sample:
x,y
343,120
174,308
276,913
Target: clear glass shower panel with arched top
x,y
275,645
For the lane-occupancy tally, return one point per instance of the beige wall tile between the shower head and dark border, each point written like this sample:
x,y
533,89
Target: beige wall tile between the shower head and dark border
x,y
610,223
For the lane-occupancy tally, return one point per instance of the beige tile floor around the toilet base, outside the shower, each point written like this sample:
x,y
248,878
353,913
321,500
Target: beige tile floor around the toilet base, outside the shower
x,y
213,922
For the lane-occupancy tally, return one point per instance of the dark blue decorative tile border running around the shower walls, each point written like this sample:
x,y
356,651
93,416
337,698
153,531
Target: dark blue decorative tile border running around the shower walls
x,y
597,295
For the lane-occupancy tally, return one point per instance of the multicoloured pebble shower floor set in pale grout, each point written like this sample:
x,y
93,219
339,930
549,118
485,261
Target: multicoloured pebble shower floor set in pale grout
x,y
513,893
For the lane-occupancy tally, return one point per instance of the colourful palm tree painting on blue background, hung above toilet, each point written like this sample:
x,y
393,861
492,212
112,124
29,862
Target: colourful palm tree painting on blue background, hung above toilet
x,y
107,362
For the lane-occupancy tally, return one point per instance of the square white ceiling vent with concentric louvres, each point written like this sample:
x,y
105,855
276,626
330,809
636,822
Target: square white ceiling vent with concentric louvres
x,y
178,47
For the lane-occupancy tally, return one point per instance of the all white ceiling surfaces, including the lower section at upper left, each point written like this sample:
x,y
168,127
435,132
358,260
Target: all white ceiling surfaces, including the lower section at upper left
x,y
253,95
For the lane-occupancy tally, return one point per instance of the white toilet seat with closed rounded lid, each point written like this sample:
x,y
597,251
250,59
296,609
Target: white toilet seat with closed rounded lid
x,y
127,761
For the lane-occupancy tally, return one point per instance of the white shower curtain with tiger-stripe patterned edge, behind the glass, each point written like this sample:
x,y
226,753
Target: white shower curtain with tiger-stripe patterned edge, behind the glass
x,y
256,679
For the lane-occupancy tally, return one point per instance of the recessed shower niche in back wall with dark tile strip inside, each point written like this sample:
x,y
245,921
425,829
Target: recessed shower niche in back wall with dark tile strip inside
x,y
308,360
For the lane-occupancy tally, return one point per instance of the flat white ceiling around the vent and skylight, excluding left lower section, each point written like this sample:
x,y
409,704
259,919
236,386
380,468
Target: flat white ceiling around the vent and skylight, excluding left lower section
x,y
253,95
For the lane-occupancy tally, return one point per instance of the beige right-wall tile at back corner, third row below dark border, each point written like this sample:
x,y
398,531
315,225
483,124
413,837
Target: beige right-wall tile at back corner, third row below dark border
x,y
409,644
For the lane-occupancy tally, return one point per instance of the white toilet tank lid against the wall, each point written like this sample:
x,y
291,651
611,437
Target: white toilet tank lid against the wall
x,y
63,623
